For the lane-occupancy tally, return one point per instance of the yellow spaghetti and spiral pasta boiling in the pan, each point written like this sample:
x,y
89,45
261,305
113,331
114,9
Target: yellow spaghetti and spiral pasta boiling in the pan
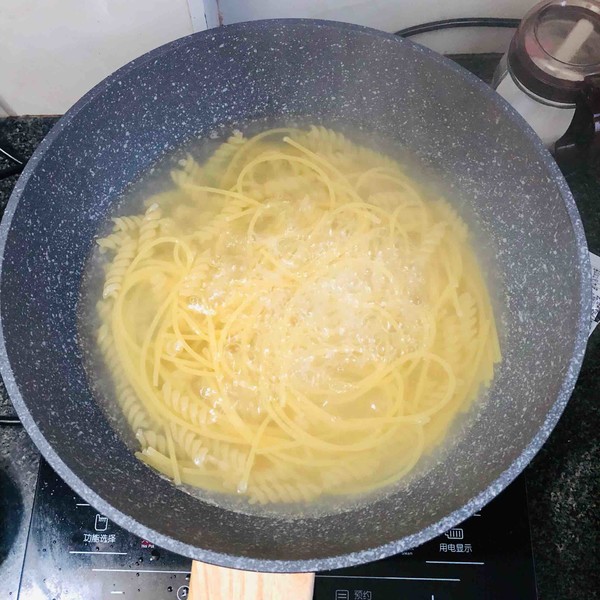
x,y
294,319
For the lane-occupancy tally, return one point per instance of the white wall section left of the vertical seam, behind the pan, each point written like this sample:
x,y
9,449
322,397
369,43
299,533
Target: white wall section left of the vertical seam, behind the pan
x,y
53,51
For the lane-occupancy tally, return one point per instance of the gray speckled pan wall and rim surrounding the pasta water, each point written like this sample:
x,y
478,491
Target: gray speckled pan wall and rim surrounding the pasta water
x,y
333,73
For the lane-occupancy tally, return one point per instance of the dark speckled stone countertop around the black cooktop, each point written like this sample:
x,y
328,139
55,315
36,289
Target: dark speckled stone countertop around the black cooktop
x,y
563,480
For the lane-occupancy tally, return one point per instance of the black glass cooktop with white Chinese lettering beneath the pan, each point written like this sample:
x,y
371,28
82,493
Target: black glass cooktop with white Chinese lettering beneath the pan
x,y
75,552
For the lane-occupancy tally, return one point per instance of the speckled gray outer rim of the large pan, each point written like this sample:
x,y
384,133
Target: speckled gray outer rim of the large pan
x,y
367,554
